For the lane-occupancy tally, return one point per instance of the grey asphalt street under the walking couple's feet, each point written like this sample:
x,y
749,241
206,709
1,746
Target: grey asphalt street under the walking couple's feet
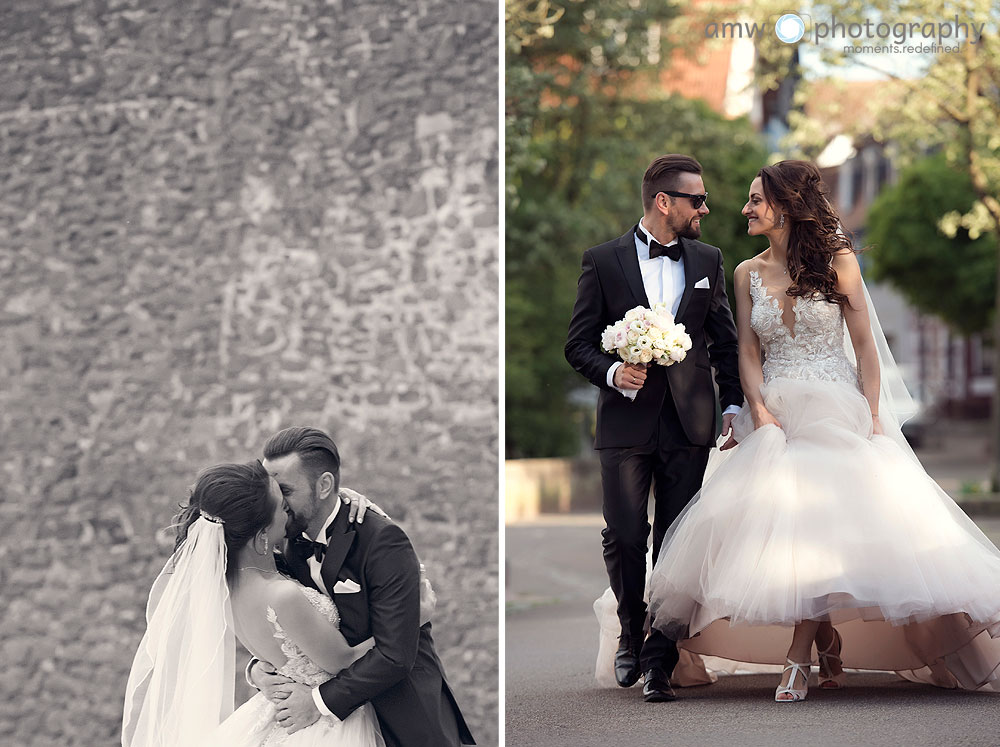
x,y
554,573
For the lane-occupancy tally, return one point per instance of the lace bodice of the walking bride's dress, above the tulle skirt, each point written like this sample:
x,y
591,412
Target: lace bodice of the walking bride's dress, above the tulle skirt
x,y
813,350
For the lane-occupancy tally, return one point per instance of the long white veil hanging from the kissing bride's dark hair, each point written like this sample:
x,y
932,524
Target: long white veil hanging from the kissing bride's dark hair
x,y
182,682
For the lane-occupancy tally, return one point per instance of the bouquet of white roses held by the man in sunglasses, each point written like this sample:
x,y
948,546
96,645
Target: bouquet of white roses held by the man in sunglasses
x,y
647,336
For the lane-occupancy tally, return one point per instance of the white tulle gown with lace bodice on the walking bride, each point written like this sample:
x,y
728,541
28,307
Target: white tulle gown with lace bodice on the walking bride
x,y
822,520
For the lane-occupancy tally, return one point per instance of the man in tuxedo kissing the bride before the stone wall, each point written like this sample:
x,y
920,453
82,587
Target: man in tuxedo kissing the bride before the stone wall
x,y
371,572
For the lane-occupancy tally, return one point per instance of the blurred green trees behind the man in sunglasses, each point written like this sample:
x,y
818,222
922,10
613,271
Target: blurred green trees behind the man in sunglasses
x,y
584,119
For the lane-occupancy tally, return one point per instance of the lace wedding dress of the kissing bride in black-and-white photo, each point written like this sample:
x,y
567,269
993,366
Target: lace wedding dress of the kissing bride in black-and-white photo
x,y
253,724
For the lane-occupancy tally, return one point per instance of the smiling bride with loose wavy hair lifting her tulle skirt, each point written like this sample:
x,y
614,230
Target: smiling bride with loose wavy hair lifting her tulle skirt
x,y
821,528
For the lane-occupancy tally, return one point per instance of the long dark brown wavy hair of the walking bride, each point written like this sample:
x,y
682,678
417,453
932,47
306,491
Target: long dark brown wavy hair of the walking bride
x,y
796,190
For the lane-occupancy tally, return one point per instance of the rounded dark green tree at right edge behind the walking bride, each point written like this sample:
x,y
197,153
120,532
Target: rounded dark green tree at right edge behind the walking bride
x,y
954,278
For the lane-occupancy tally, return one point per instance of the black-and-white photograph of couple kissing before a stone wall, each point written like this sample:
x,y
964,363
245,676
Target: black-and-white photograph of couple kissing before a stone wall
x,y
249,343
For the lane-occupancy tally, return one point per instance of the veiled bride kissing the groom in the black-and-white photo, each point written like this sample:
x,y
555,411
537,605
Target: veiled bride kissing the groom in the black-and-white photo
x,y
222,580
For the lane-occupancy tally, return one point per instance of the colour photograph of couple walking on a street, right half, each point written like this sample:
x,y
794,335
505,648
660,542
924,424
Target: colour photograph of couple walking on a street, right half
x,y
751,414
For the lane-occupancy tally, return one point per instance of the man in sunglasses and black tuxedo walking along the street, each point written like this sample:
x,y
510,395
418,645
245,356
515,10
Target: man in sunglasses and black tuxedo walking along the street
x,y
657,424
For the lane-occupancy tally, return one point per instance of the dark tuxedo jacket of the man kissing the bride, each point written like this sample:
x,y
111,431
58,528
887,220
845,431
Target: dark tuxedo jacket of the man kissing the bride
x,y
402,676
